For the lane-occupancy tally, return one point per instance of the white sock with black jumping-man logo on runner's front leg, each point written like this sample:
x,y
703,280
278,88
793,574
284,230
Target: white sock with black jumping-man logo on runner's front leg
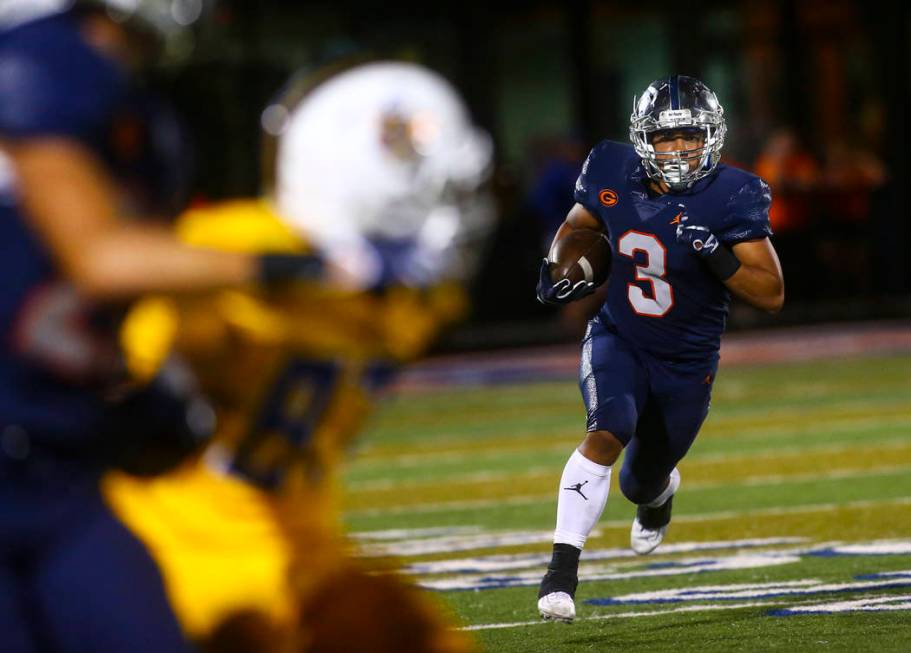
x,y
581,498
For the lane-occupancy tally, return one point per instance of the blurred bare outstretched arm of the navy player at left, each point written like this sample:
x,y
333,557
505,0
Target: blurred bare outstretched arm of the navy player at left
x,y
70,201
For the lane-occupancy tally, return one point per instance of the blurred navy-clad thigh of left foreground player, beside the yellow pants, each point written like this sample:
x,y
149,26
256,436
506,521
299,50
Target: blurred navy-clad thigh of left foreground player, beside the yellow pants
x,y
100,591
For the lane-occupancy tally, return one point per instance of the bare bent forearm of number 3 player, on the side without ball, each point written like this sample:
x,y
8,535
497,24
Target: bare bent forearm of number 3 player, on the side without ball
x,y
758,281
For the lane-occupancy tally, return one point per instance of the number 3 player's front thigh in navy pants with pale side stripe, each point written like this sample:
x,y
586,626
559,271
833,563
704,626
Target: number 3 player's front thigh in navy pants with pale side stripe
x,y
613,383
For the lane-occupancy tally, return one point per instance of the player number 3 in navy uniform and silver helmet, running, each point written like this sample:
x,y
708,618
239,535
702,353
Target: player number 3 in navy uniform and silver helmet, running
x,y
686,232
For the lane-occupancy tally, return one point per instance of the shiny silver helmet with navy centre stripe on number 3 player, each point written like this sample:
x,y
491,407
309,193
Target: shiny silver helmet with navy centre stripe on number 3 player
x,y
678,103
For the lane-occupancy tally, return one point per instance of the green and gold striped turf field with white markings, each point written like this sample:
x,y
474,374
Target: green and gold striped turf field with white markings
x,y
795,463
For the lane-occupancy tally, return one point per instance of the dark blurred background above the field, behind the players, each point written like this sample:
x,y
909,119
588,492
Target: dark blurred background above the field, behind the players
x,y
815,94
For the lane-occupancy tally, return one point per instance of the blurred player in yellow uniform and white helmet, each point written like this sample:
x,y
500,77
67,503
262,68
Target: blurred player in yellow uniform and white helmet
x,y
378,171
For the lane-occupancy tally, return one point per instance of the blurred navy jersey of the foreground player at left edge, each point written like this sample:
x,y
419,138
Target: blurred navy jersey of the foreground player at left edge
x,y
52,85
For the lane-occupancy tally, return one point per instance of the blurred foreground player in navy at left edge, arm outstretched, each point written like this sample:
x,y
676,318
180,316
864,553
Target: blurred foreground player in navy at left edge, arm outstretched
x,y
71,577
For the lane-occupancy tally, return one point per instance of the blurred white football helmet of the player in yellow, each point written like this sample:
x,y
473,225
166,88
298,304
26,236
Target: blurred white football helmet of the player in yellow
x,y
381,152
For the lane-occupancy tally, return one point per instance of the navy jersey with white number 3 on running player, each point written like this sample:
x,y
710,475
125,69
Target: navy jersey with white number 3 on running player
x,y
661,297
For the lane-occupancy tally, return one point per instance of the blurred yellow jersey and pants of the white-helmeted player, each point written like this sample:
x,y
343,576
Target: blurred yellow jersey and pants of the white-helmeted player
x,y
252,524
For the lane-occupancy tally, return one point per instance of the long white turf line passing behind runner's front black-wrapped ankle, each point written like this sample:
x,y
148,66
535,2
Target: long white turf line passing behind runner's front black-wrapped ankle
x,y
506,562
